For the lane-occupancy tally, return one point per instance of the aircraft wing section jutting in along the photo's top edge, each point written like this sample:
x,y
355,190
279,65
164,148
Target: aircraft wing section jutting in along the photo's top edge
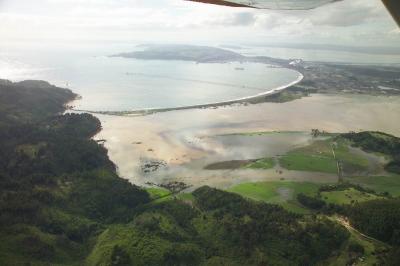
x,y
271,4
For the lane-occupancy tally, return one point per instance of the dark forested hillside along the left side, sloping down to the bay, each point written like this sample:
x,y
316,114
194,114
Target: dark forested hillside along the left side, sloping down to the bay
x,y
58,188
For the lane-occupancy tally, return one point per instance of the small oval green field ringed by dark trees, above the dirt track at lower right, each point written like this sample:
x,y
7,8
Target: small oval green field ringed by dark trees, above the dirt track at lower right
x,y
347,196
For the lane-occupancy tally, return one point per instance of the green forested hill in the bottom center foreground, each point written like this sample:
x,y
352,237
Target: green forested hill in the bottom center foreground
x,y
221,228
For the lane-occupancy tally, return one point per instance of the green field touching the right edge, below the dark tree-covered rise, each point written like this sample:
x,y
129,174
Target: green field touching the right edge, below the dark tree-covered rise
x,y
390,183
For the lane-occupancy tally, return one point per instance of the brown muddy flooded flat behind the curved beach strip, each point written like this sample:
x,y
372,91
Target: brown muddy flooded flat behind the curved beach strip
x,y
187,140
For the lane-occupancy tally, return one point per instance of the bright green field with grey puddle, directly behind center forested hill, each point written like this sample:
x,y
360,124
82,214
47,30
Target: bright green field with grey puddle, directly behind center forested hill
x,y
278,192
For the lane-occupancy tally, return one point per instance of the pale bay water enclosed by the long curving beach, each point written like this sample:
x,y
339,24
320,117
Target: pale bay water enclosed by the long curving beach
x,y
117,84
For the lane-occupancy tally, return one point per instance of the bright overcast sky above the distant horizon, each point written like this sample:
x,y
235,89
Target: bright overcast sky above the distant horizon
x,y
351,22
